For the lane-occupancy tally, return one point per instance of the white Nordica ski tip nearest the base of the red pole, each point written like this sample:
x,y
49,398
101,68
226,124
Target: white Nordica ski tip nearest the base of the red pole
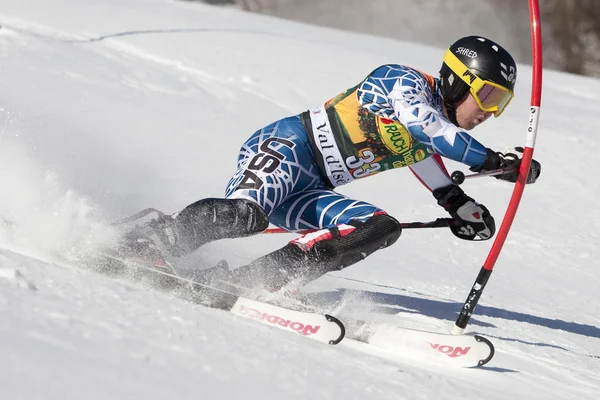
x,y
457,350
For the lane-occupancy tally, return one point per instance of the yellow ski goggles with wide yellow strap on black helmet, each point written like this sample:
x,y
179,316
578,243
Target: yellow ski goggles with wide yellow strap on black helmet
x,y
490,96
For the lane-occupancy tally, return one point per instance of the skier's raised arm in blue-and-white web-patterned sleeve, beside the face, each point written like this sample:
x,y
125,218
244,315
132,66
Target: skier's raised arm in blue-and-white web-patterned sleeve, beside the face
x,y
404,94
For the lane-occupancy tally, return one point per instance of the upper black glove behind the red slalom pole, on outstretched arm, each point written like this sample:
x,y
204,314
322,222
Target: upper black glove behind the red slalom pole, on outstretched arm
x,y
509,159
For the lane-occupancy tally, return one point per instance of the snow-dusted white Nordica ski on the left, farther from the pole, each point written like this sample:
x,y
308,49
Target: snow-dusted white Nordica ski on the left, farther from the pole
x,y
324,328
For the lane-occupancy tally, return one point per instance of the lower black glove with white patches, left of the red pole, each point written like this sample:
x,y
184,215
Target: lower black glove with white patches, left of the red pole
x,y
471,219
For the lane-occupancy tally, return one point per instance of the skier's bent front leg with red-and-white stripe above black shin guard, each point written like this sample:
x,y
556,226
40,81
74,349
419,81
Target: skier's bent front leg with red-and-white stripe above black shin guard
x,y
356,230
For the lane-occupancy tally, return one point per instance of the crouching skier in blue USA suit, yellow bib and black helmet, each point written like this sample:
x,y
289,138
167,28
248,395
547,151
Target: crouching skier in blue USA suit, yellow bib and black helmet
x,y
287,171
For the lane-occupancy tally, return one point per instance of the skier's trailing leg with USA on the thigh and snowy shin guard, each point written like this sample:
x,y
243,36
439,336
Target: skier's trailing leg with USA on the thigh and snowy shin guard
x,y
274,163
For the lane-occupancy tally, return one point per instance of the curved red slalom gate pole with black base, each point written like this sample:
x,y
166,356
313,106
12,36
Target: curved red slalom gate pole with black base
x,y
536,94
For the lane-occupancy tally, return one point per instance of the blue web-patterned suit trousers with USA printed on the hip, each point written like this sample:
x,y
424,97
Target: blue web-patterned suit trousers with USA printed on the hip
x,y
292,190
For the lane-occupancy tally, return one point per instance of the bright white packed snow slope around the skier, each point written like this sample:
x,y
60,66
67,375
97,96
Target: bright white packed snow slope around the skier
x,y
112,106
